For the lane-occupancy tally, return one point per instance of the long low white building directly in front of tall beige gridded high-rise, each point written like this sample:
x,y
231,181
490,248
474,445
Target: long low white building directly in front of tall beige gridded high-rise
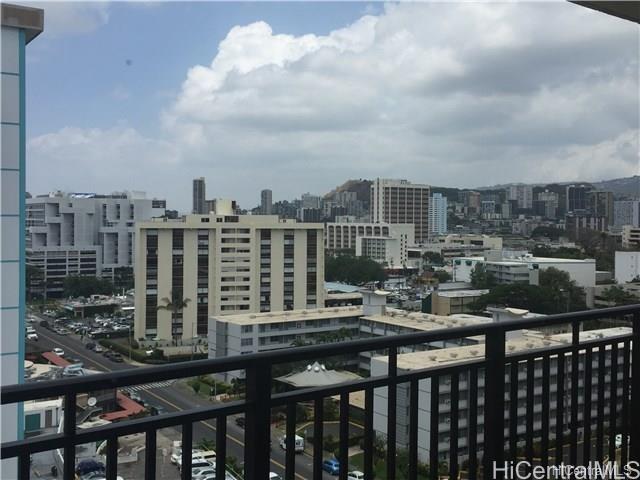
x,y
344,235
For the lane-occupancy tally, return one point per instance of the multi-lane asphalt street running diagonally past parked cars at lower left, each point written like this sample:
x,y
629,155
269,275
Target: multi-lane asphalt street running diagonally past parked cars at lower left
x,y
173,398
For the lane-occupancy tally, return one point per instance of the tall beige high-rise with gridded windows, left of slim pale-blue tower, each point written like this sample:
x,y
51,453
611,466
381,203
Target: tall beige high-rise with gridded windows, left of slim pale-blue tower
x,y
399,201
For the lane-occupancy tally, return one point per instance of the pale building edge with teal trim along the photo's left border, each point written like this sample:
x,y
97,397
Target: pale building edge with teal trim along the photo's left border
x,y
20,25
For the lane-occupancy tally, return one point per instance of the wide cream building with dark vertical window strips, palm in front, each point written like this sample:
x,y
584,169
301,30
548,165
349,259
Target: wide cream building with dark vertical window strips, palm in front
x,y
224,264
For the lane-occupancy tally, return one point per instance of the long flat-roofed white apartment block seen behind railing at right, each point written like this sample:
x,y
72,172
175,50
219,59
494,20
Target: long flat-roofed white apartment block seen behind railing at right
x,y
529,340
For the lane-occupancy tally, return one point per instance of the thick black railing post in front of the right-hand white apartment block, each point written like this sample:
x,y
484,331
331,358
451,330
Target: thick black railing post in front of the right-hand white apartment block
x,y
494,406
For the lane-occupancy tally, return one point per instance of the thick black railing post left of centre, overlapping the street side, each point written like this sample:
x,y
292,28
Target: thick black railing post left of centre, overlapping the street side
x,y
257,431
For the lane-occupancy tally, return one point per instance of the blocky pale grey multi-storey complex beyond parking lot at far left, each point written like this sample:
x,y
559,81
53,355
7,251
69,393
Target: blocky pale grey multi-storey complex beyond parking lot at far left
x,y
84,234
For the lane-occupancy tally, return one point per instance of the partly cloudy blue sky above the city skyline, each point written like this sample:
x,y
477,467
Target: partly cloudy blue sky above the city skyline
x,y
299,97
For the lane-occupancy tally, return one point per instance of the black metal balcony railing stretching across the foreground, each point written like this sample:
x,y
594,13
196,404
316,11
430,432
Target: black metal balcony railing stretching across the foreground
x,y
561,404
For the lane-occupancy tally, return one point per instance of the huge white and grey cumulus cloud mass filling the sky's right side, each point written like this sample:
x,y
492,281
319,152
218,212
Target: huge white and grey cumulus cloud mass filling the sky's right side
x,y
454,94
